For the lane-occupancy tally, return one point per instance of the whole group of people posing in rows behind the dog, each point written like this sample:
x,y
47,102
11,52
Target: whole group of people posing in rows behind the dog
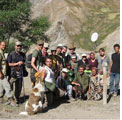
x,y
66,73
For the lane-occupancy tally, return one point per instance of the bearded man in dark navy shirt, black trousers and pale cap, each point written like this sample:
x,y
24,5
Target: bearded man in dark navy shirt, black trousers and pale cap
x,y
16,61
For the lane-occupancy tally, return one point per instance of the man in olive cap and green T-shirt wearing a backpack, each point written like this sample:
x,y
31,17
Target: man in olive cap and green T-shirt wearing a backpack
x,y
36,61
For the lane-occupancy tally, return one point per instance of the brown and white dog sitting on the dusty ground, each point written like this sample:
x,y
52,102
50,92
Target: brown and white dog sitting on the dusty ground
x,y
34,103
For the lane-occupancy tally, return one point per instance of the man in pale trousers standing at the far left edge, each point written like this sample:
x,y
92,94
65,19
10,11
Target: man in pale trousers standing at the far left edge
x,y
4,84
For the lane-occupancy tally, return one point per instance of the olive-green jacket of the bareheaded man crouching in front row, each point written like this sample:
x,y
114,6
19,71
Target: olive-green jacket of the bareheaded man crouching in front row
x,y
82,79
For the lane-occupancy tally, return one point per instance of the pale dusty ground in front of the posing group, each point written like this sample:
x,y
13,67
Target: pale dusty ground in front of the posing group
x,y
67,110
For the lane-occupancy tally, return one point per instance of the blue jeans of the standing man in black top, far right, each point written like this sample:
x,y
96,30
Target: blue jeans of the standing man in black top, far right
x,y
116,77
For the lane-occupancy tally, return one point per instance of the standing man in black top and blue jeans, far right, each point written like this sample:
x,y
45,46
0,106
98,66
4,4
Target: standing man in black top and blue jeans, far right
x,y
114,70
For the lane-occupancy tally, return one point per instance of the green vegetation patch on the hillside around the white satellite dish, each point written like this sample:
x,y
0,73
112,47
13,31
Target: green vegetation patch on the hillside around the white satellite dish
x,y
102,20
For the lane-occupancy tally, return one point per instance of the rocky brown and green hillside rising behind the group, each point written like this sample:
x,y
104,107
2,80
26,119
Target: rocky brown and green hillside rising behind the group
x,y
75,20
